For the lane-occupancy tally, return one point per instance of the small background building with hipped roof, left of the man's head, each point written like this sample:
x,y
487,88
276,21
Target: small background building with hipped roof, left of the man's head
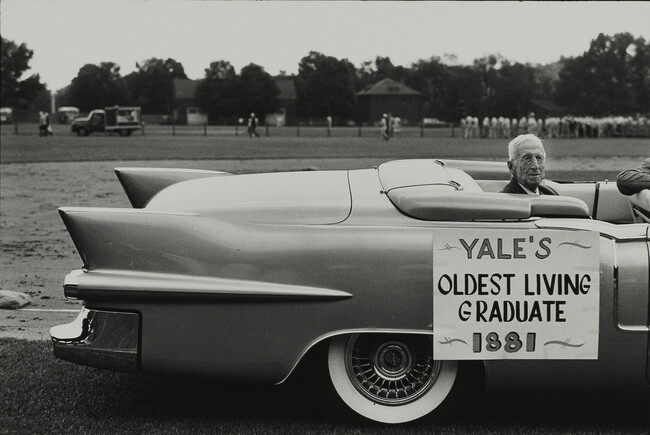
x,y
389,96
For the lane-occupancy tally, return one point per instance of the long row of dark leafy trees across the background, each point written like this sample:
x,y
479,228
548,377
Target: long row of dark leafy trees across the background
x,y
612,77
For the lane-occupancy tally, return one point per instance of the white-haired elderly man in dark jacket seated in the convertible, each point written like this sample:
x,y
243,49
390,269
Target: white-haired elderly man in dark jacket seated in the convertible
x,y
526,158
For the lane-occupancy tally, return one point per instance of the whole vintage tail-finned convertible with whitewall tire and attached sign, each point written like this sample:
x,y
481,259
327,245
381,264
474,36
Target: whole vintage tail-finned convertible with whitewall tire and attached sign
x,y
403,271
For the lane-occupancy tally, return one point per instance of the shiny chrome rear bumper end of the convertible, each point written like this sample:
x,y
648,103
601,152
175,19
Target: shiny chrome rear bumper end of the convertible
x,y
102,339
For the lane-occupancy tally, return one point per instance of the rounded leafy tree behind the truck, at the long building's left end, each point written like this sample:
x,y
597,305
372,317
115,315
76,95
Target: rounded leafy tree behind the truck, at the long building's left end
x,y
152,85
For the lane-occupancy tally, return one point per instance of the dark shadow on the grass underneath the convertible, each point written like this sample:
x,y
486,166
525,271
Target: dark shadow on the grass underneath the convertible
x,y
312,403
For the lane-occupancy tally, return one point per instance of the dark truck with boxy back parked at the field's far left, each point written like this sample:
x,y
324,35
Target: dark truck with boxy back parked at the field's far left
x,y
116,119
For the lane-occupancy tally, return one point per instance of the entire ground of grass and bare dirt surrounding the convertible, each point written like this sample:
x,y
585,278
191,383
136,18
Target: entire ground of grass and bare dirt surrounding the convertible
x,y
41,394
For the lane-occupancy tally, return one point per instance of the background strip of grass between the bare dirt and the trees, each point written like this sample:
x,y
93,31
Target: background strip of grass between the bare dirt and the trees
x,y
575,159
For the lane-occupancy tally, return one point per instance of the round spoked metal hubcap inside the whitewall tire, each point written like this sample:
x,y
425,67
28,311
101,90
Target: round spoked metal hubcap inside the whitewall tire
x,y
390,371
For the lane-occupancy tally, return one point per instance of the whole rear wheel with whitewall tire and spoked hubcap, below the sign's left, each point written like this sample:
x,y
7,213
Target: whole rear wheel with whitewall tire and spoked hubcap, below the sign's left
x,y
389,378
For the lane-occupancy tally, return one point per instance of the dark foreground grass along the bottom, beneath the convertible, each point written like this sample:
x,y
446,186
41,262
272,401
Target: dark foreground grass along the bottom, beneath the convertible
x,y
39,394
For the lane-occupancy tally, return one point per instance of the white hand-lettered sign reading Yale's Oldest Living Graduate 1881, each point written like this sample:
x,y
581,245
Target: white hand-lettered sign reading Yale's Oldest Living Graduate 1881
x,y
511,294
